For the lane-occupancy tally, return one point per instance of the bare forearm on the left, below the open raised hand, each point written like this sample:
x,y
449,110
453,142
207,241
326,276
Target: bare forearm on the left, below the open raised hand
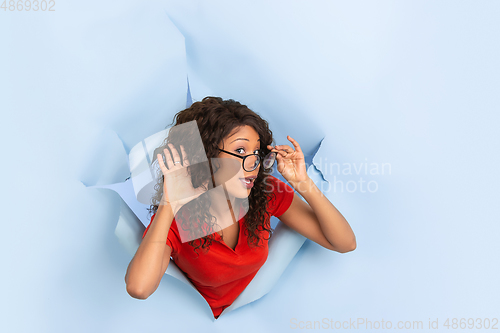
x,y
145,270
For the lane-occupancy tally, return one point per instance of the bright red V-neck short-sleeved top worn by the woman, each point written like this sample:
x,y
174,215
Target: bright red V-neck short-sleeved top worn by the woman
x,y
221,273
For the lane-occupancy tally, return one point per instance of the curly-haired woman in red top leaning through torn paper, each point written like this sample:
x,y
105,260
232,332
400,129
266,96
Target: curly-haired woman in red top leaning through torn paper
x,y
220,254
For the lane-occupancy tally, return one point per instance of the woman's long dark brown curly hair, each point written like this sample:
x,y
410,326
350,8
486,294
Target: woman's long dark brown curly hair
x,y
216,119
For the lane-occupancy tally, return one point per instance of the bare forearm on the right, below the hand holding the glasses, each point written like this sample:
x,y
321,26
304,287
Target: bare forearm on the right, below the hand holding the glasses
x,y
334,226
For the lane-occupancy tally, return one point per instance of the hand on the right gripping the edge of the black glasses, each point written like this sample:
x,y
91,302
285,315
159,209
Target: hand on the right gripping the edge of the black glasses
x,y
291,163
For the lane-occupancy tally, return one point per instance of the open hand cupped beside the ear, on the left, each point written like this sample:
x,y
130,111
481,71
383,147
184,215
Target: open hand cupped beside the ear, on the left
x,y
177,185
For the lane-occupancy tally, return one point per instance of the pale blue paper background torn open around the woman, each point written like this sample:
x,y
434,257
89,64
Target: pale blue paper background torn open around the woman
x,y
410,83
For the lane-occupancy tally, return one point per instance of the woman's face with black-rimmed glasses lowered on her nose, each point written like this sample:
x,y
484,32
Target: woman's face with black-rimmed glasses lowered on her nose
x,y
242,141
